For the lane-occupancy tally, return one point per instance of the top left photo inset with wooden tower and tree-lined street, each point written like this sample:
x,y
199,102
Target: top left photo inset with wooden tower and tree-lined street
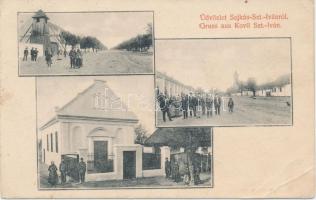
x,y
85,43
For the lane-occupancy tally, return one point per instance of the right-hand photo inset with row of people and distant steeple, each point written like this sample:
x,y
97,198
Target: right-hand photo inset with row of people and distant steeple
x,y
223,82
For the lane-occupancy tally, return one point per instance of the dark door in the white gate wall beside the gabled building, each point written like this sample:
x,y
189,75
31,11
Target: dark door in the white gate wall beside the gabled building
x,y
129,164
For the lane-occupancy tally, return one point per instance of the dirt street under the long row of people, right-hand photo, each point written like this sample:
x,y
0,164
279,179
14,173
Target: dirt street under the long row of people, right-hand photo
x,y
247,111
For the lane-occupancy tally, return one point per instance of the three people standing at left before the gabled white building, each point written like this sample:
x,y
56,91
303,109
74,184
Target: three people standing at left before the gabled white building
x,y
63,168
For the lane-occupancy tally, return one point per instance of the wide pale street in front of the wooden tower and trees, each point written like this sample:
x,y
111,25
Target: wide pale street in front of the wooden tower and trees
x,y
102,62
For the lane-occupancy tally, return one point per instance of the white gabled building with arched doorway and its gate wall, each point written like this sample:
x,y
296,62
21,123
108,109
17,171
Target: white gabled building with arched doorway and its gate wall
x,y
96,126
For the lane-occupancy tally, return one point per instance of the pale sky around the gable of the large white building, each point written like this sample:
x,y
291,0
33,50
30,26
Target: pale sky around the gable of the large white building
x,y
57,91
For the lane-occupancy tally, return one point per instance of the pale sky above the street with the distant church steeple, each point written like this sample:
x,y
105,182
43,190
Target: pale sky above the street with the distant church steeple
x,y
211,63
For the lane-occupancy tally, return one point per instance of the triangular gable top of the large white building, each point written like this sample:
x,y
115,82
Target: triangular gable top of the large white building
x,y
82,107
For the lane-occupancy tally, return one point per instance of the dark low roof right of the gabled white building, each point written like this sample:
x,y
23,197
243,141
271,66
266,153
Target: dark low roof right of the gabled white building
x,y
182,137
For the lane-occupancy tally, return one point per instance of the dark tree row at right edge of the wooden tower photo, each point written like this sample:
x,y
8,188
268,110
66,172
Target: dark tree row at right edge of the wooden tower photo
x,y
141,42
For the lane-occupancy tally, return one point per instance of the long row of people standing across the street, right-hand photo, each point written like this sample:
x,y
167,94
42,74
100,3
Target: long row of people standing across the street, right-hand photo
x,y
193,105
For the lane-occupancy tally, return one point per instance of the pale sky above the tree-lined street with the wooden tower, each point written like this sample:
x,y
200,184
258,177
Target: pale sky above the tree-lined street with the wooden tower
x,y
111,28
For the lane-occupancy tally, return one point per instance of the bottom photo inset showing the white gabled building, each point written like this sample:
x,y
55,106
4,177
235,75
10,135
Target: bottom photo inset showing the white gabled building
x,y
100,133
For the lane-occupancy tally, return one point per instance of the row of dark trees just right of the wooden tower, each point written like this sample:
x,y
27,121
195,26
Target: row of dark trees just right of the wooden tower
x,y
85,42
